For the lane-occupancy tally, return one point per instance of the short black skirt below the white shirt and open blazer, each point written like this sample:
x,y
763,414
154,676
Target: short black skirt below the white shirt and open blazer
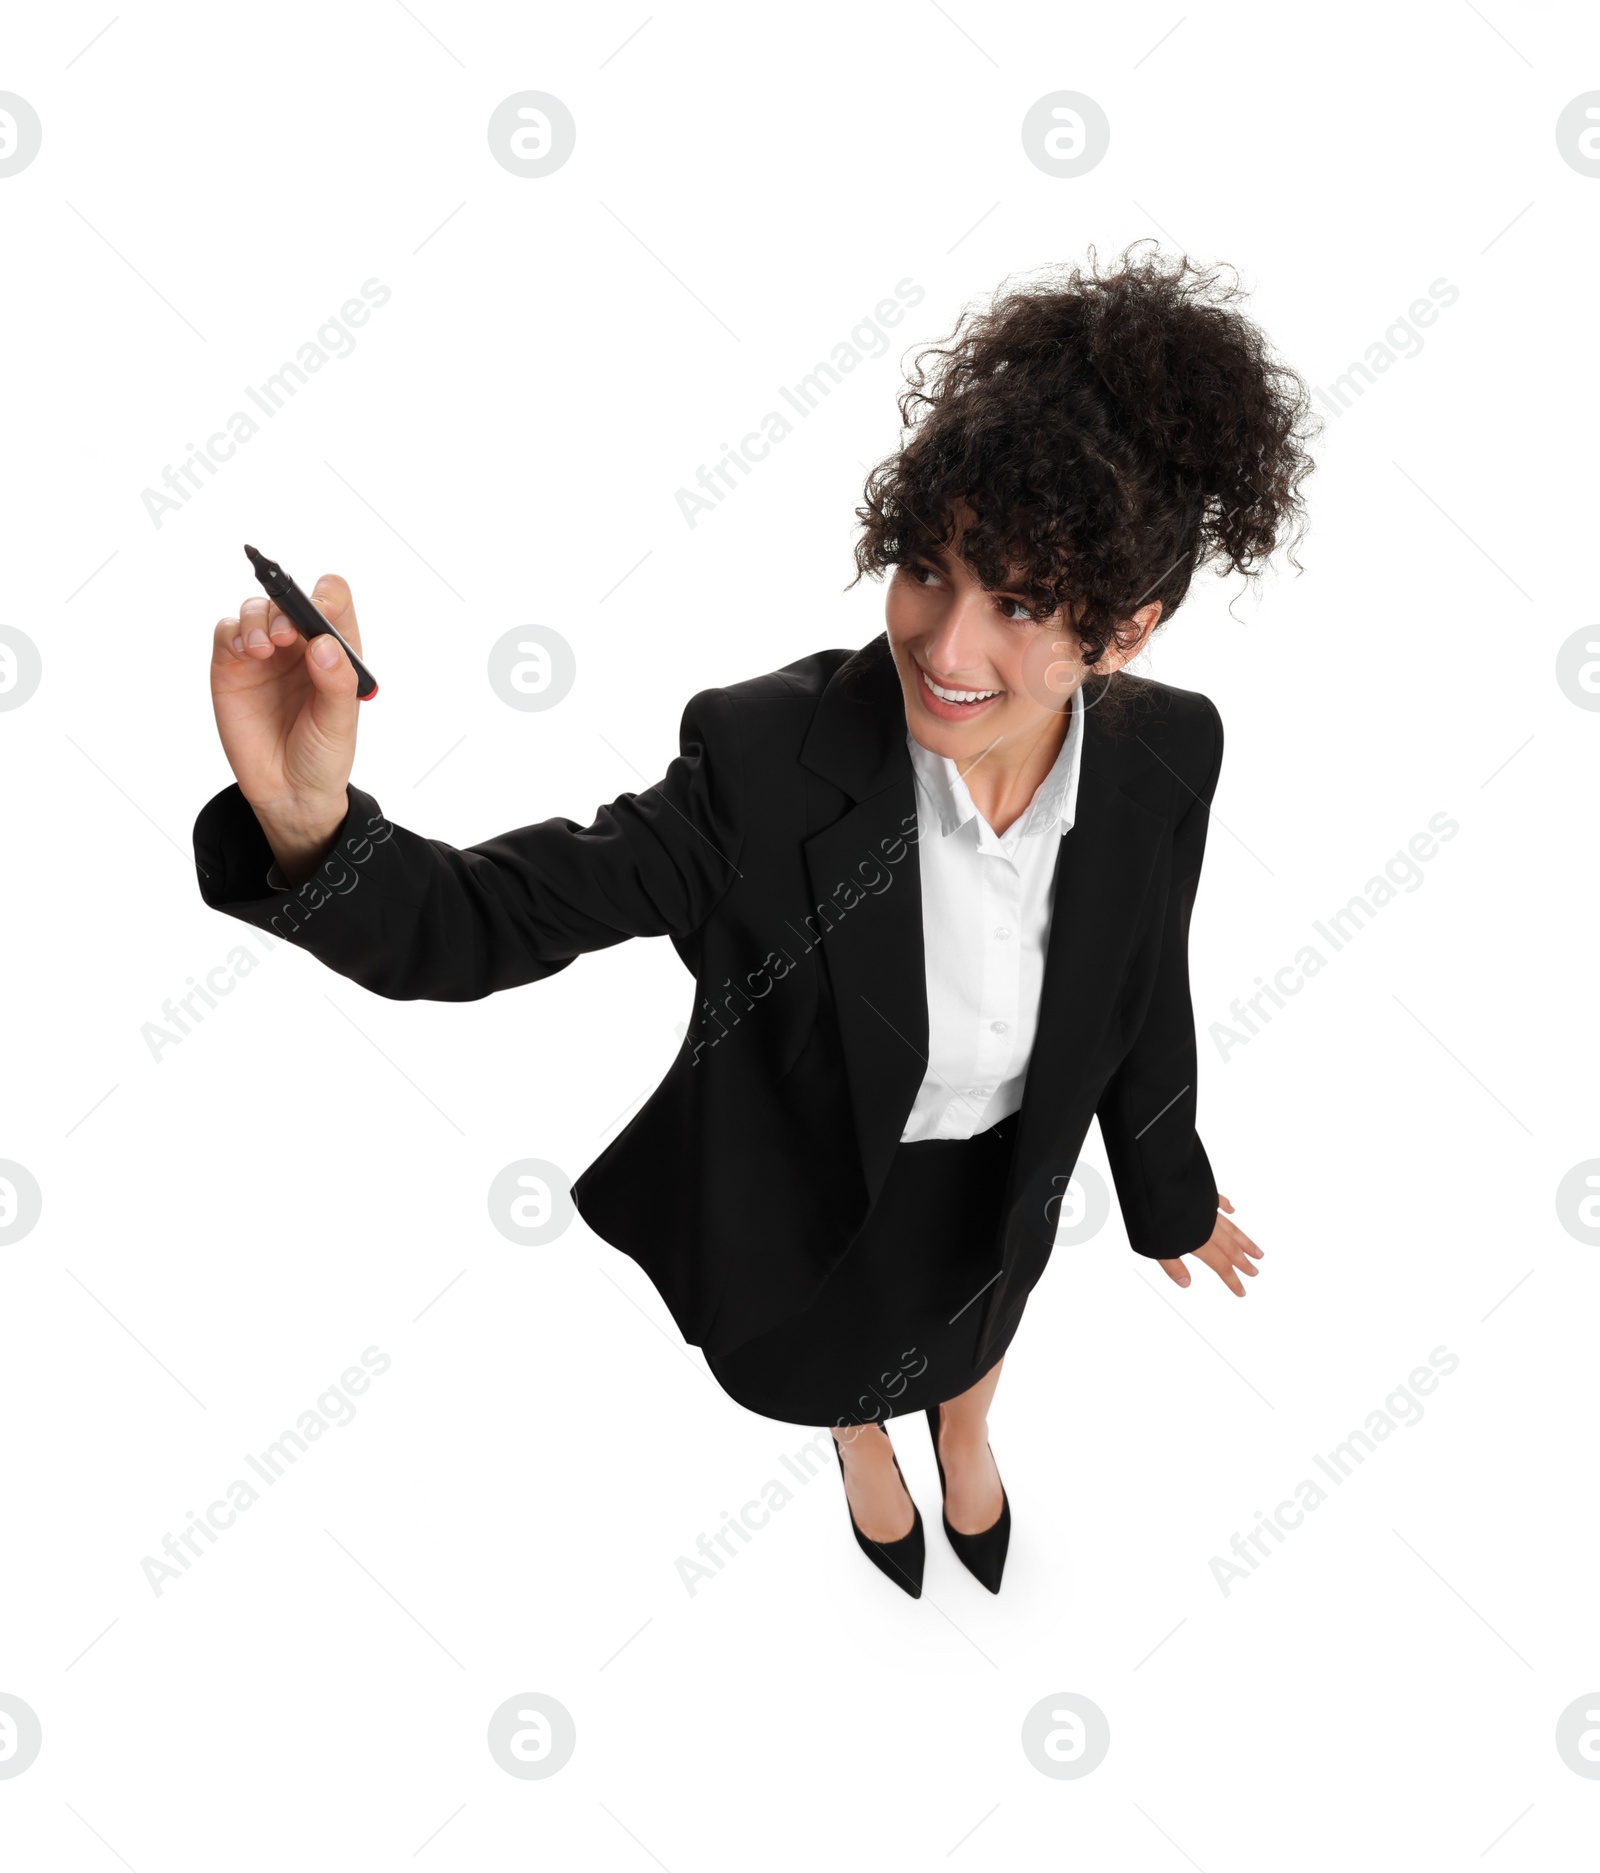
x,y
895,1327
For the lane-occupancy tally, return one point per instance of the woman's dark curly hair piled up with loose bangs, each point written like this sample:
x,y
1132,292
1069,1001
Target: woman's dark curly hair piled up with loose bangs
x,y
1110,432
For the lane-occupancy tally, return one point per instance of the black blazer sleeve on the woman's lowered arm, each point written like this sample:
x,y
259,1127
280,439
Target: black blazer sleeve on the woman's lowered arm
x,y
1148,1113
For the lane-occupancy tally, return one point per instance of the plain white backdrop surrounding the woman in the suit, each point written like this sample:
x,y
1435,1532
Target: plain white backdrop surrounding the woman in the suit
x,y
304,1175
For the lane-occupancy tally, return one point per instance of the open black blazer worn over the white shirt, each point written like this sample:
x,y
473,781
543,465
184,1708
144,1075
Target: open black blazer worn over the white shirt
x,y
780,857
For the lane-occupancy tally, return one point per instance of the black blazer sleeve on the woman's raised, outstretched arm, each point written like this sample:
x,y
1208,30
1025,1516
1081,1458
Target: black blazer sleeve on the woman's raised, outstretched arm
x,y
415,919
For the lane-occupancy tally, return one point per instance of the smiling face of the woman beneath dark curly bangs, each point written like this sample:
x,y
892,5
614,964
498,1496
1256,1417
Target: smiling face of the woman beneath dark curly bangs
x,y
947,630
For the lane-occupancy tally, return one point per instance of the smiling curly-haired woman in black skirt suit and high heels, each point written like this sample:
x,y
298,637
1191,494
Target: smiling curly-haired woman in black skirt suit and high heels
x,y
934,892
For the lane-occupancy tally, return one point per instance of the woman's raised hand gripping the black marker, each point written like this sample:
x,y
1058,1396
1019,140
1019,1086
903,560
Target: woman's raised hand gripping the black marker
x,y
288,716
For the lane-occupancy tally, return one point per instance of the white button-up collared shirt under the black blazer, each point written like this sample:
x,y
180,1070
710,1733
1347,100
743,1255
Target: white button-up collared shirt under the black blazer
x,y
986,911
